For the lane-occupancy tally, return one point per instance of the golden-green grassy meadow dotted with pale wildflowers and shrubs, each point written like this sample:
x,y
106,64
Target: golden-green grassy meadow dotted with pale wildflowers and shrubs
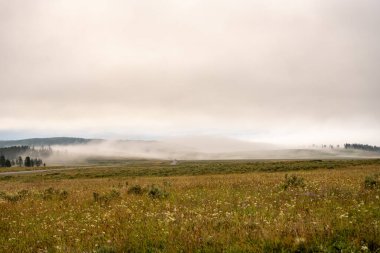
x,y
203,206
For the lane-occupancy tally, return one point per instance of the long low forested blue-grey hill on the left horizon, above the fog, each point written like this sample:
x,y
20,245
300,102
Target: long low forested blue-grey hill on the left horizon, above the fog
x,y
46,141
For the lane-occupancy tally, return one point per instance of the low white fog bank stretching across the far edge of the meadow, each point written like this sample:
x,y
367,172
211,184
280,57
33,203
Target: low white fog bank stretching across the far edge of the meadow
x,y
194,148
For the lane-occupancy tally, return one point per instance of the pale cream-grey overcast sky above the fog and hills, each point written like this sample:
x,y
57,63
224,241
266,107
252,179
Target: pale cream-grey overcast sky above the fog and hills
x,y
283,72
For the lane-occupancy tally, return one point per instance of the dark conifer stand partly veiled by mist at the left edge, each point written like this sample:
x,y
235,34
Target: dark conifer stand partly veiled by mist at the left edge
x,y
13,156
